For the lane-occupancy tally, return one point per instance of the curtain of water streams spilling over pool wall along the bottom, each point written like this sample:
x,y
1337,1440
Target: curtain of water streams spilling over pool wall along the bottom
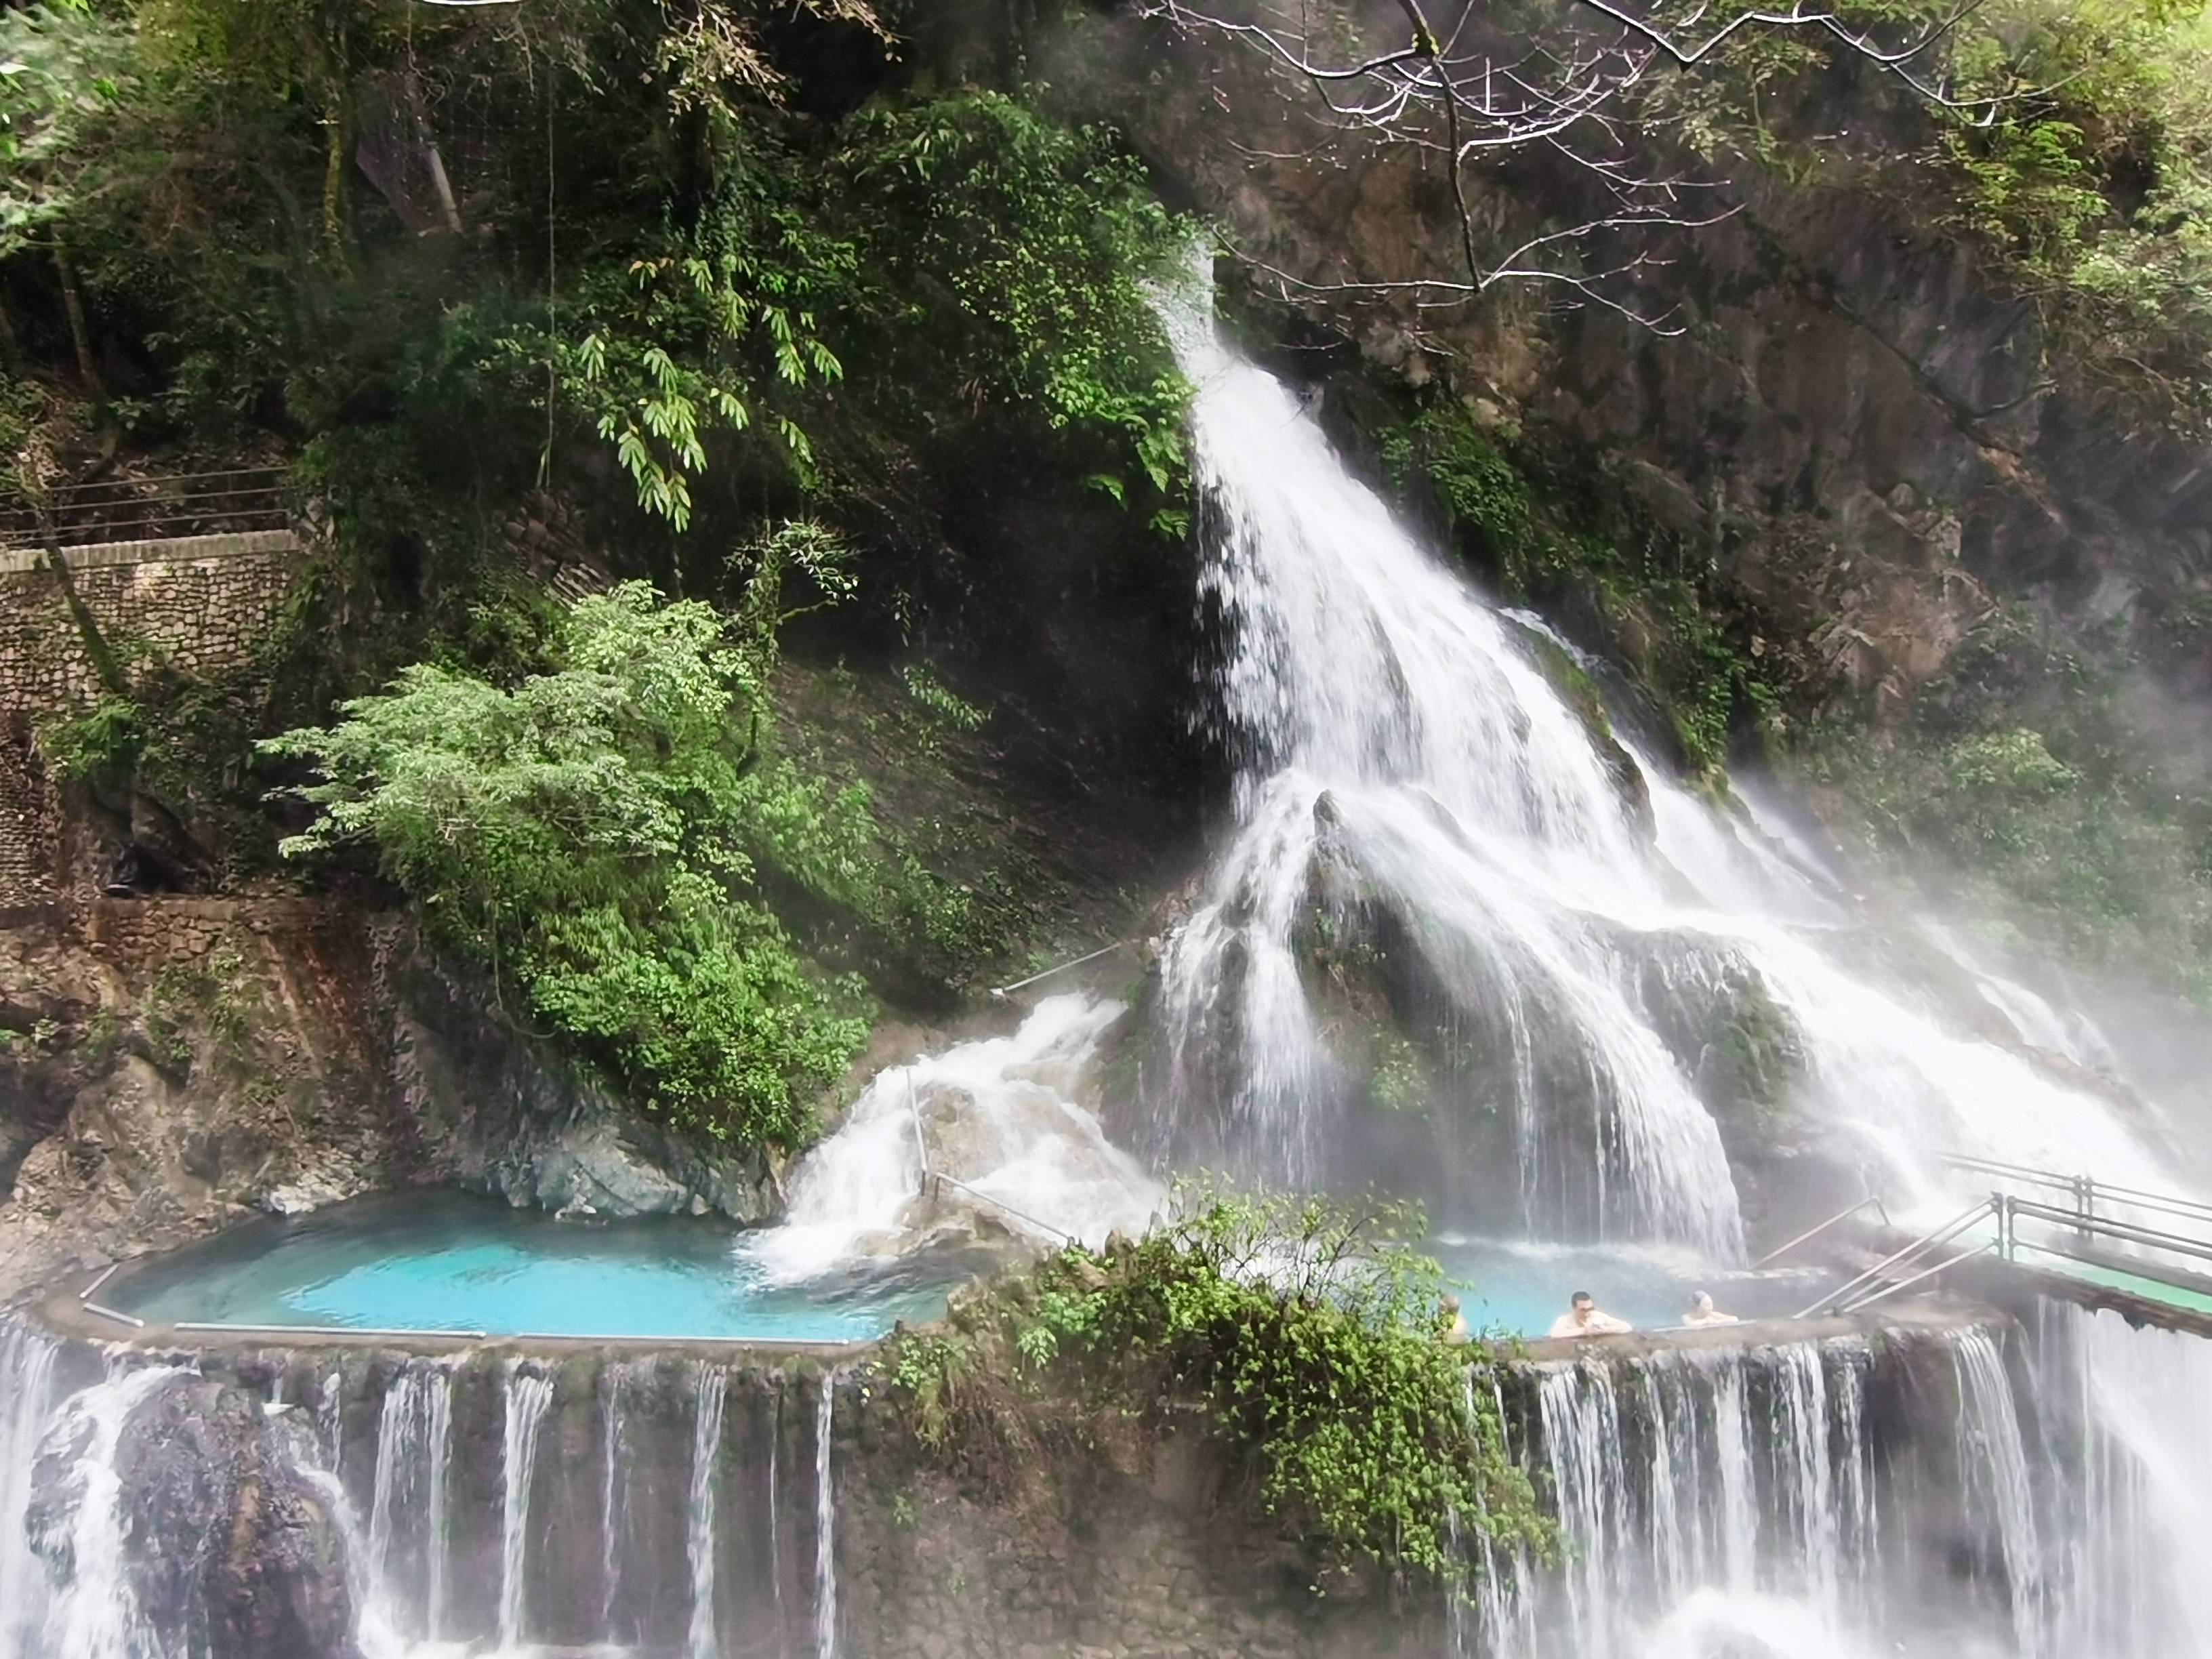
x,y
1930,1490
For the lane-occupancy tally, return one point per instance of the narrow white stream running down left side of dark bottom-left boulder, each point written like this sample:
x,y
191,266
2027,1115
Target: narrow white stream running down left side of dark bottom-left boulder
x,y
94,1614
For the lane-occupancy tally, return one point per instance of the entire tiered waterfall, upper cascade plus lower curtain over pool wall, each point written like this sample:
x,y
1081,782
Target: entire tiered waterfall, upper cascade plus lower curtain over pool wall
x,y
1450,870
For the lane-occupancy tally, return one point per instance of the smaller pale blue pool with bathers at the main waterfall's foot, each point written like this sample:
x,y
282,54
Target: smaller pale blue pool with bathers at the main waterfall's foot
x,y
1521,1288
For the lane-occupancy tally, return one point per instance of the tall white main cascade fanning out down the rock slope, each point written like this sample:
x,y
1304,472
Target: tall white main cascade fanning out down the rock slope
x,y
1580,924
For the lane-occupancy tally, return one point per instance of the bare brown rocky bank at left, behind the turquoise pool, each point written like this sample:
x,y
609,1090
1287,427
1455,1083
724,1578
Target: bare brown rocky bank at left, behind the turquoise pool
x,y
189,1061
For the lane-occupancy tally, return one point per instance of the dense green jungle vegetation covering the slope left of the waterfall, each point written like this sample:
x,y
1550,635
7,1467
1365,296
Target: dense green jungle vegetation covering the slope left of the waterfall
x,y
452,260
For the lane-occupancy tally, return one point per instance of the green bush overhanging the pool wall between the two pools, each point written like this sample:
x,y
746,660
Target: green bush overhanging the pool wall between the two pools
x,y
1308,1333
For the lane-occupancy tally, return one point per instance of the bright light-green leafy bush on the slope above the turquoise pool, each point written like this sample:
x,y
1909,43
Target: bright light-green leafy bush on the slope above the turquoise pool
x,y
601,833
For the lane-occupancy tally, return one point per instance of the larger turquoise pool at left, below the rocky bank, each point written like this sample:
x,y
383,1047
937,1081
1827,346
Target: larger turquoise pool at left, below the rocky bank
x,y
452,1262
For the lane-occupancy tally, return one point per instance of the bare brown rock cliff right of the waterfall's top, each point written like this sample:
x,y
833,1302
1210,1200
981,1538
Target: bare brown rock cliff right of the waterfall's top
x,y
1848,428
